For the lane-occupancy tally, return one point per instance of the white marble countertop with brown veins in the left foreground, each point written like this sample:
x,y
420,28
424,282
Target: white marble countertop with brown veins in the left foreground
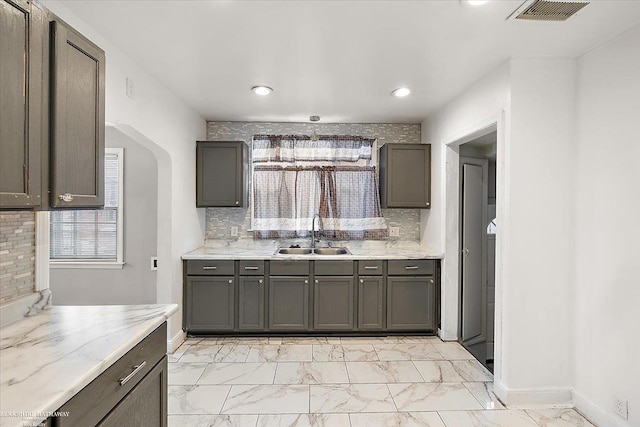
x,y
46,359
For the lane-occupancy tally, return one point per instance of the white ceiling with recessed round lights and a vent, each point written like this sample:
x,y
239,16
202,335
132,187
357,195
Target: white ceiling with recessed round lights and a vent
x,y
336,59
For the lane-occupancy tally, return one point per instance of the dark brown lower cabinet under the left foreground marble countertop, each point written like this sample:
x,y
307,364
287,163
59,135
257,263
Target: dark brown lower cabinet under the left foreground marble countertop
x,y
131,392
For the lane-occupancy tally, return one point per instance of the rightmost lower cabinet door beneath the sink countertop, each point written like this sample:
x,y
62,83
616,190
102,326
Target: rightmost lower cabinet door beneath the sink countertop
x,y
410,303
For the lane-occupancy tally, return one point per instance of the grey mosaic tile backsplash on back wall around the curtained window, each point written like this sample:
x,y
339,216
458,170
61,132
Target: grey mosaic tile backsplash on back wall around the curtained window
x,y
220,220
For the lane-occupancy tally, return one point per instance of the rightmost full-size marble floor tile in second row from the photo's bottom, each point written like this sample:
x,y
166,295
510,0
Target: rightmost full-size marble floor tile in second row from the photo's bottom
x,y
433,397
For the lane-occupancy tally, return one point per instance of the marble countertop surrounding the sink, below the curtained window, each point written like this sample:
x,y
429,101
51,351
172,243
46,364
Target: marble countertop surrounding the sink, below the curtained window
x,y
265,249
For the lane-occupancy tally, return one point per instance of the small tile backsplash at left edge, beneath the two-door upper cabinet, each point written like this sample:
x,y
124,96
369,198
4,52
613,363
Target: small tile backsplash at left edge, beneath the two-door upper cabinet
x,y
17,254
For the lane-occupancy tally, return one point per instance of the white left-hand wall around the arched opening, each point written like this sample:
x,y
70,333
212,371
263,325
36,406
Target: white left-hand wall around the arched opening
x,y
161,122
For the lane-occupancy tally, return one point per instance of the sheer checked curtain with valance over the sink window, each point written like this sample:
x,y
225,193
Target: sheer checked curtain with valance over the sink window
x,y
287,195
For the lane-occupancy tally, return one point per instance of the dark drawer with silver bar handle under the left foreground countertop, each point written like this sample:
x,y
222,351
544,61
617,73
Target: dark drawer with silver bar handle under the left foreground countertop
x,y
97,399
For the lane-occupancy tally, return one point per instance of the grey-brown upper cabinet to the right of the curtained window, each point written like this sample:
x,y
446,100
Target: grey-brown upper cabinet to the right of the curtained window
x,y
405,176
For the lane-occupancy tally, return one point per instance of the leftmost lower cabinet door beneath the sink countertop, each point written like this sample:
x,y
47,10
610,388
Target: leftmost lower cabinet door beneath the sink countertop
x,y
210,303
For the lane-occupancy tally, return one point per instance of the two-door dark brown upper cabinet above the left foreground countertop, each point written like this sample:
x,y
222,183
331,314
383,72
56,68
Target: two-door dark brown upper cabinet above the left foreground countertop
x,y
52,91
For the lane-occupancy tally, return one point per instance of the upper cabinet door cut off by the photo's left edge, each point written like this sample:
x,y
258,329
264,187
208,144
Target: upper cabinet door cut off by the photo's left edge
x,y
22,37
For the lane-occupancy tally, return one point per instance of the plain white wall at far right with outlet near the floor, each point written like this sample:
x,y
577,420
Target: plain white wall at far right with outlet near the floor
x,y
607,231
